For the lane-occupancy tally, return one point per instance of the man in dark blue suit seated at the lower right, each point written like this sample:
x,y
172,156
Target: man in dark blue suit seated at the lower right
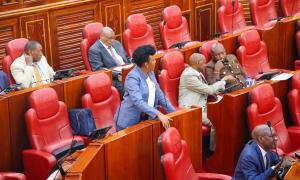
x,y
257,161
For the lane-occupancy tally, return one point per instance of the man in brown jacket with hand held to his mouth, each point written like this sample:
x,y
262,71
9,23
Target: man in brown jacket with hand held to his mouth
x,y
222,65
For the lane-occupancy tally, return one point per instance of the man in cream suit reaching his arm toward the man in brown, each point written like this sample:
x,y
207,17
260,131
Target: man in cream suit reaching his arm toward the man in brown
x,y
193,90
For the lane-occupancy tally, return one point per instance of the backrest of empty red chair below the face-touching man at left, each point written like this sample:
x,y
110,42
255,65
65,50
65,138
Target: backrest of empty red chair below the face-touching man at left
x,y
47,121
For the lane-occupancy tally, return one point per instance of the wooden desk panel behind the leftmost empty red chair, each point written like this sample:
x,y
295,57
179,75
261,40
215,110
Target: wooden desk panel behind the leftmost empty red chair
x,y
18,104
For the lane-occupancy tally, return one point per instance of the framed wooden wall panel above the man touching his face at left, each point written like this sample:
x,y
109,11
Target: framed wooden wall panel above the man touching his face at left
x,y
29,24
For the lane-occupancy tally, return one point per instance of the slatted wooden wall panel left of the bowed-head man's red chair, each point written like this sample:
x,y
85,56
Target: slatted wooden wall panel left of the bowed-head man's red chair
x,y
66,33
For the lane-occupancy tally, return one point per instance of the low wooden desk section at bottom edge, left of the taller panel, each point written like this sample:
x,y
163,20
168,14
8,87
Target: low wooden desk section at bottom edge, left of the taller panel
x,y
89,165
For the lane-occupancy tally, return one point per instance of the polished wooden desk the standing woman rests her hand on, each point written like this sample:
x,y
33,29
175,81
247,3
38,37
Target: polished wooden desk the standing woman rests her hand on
x,y
133,153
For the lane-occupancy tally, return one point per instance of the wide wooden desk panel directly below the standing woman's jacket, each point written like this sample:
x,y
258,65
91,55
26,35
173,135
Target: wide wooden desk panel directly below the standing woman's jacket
x,y
129,153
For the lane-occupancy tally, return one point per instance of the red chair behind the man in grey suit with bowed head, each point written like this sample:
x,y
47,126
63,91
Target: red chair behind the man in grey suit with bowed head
x,y
91,33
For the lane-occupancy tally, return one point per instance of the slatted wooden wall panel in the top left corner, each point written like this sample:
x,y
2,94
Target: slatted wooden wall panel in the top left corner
x,y
8,32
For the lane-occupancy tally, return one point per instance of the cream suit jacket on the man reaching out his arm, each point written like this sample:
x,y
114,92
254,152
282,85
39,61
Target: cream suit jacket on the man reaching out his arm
x,y
193,90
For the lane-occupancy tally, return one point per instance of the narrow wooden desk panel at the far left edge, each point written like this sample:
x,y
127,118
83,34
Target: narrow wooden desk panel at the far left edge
x,y
5,143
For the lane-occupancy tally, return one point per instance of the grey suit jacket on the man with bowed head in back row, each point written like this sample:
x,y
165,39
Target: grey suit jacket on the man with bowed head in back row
x,y
99,57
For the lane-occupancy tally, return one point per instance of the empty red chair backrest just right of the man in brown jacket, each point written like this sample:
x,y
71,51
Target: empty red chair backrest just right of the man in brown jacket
x,y
253,54
